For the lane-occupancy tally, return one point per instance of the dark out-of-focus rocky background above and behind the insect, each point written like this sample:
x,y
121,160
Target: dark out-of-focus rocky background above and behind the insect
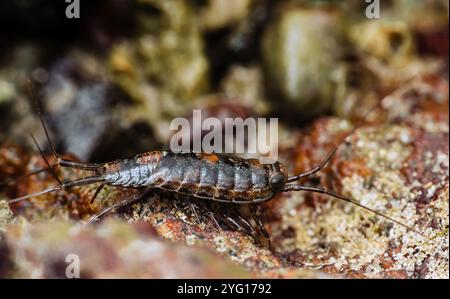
x,y
111,81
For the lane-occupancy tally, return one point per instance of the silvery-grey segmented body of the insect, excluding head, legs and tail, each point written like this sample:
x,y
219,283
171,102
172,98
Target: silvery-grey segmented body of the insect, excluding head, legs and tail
x,y
214,176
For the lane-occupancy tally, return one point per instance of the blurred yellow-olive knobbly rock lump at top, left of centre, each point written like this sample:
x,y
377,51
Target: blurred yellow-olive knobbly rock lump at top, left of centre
x,y
169,58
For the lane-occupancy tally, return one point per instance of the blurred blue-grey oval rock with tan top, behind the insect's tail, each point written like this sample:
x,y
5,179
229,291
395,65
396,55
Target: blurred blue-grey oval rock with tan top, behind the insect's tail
x,y
75,99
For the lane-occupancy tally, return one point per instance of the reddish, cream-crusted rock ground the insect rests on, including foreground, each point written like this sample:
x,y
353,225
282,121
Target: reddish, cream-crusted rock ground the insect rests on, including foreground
x,y
397,163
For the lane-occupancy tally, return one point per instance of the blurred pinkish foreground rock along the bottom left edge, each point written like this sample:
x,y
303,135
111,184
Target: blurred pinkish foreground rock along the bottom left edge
x,y
113,249
